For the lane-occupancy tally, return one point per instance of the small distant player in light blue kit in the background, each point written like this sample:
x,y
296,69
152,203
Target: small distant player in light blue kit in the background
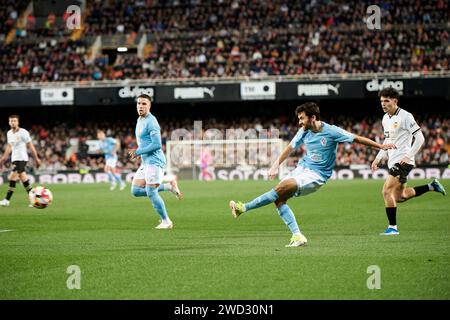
x,y
109,147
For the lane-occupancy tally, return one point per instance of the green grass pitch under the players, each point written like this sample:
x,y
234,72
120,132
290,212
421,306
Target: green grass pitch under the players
x,y
210,255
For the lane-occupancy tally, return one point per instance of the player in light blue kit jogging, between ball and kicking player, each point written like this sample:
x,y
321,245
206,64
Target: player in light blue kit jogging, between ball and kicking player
x,y
148,178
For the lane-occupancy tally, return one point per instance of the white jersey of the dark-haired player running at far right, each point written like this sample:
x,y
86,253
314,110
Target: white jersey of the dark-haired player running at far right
x,y
399,130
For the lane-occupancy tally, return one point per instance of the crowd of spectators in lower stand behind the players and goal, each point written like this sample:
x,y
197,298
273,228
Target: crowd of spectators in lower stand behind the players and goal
x,y
64,147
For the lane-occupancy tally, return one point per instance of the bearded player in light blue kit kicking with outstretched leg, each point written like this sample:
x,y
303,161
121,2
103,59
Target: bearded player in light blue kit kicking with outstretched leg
x,y
312,171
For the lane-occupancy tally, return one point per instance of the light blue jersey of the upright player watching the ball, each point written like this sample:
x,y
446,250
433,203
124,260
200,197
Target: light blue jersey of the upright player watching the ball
x,y
148,132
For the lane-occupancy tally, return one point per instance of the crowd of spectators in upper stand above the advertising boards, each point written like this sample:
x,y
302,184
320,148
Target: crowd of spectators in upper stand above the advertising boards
x,y
187,39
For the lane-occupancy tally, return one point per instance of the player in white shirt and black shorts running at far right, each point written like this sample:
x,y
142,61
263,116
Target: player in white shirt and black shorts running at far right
x,y
400,128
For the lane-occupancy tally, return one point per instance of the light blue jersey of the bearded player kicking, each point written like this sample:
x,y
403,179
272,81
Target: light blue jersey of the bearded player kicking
x,y
321,148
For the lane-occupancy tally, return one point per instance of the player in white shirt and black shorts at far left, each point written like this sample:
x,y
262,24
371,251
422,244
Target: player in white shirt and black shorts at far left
x,y
18,141
